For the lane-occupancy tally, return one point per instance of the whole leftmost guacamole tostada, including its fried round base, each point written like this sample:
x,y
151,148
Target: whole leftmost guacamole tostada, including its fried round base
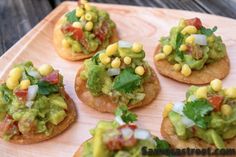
x,y
33,104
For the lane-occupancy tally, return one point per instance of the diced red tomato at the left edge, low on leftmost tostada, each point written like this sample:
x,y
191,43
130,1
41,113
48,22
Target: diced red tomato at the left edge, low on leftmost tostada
x,y
7,126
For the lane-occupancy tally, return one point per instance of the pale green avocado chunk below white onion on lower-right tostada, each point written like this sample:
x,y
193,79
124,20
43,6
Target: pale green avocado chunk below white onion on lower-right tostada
x,y
180,128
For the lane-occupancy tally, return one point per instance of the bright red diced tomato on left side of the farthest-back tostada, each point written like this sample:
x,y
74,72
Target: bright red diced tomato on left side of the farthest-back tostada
x,y
77,33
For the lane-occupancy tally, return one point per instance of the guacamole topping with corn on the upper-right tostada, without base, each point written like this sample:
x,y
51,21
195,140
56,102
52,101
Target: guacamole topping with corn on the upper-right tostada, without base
x,y
191,46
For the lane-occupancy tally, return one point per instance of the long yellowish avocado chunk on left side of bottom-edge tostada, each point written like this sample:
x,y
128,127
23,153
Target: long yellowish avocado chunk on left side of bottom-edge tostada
x,y
99,148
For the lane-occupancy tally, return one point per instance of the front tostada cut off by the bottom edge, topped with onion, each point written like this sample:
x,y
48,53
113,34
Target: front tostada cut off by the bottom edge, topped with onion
x,y
120,138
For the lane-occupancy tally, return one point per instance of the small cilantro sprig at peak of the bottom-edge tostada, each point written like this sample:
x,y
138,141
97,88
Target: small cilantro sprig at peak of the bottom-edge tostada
x,y
127,116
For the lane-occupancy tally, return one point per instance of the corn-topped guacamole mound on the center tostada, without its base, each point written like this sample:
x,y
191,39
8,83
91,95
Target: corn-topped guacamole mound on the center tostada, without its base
x,y
119,71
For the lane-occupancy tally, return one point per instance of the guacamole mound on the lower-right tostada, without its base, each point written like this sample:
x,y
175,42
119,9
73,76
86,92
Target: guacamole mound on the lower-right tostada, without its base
x,y
211,116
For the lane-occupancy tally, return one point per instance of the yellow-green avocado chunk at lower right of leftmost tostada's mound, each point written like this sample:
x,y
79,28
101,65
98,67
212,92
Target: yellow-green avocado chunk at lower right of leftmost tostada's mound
x,y
56,117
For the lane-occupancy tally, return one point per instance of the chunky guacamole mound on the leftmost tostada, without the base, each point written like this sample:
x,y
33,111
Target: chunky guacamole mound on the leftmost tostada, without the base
x,y
21,114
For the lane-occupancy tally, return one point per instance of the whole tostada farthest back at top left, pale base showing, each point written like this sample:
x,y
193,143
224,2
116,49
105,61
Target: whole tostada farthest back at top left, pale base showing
x,y
83,31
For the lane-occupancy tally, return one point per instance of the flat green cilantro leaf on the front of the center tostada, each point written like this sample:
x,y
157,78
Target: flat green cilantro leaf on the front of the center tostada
x,y
127,81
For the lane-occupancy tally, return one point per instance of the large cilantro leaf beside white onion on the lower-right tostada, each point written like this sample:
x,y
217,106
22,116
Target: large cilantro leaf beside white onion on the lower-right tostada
x,y
197,111
